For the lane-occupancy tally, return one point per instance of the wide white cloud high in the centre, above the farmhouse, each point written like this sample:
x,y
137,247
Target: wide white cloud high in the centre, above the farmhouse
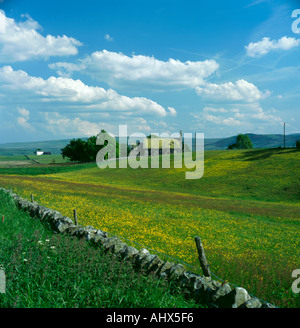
x,y
117,68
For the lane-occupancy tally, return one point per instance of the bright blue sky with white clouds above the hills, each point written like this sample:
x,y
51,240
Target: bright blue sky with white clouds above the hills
x,y
69,68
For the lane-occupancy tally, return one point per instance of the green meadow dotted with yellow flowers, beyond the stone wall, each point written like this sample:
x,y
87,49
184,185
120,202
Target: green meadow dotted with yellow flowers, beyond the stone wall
x,y
246,209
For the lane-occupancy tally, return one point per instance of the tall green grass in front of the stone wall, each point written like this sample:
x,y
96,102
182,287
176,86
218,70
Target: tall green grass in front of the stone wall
x,y
46,270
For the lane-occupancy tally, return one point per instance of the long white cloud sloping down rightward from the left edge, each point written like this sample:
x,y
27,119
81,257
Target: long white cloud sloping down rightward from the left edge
x,y
76,93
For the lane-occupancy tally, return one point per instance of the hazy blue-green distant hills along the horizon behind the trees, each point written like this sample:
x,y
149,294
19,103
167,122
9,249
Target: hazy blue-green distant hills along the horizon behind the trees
x,y
55,146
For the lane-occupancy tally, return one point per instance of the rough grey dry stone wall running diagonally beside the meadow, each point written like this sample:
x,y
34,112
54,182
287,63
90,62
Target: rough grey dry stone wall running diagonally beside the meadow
x,y
204,290
